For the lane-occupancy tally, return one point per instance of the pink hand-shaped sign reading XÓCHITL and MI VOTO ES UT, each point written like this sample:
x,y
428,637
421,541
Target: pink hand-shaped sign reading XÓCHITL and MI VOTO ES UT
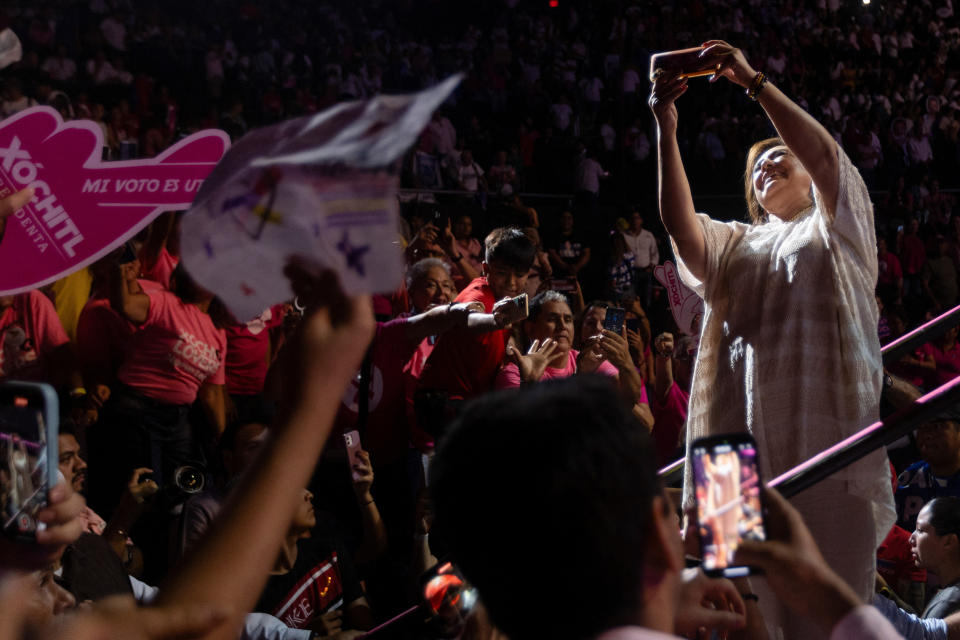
x,y
84,208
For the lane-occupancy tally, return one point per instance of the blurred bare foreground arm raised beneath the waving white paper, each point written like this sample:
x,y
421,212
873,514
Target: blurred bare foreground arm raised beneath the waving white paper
x,y
329,347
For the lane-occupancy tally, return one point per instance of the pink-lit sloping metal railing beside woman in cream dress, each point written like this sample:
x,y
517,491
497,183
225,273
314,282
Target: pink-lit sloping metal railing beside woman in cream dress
x,y
876,435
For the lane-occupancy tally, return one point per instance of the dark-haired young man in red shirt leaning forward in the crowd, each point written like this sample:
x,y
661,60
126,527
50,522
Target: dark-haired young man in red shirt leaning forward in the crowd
x,y
465,360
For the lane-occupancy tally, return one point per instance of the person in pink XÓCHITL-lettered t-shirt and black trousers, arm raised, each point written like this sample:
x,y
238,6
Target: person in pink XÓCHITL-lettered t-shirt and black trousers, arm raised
x,y
175,357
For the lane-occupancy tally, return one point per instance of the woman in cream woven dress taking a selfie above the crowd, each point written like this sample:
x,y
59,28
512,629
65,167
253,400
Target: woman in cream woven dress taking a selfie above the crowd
x,y
788,349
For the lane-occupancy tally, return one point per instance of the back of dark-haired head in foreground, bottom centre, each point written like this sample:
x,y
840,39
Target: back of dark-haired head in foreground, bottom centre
x,y
544,497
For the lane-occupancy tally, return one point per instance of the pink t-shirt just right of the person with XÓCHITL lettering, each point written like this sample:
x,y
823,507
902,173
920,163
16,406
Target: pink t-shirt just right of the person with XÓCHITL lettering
x,y
248,352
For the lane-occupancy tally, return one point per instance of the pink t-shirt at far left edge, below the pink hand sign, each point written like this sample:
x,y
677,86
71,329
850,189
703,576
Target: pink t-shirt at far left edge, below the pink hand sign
x,y
29,332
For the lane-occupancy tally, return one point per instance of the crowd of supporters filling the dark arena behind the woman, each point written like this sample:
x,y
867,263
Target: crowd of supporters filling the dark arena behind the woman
x,y
536,178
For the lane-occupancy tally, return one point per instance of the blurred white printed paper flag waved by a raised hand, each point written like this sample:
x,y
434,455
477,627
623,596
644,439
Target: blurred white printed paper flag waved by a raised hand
x,y
320,187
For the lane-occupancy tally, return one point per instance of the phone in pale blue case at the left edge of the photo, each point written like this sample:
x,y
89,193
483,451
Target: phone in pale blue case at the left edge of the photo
x,y
28,455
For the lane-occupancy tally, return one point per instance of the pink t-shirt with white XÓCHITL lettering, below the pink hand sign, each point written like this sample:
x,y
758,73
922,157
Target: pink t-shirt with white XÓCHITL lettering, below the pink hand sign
x,y
174,352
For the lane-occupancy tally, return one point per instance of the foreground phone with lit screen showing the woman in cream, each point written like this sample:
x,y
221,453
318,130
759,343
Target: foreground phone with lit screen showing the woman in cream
x,y
729,504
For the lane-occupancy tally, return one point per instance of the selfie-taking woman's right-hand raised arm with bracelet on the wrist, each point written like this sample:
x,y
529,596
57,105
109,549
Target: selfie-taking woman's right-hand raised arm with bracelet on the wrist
x,y
804,136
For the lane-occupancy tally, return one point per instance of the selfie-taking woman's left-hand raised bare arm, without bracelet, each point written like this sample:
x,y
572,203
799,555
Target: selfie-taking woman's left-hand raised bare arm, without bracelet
x,y
676,201
